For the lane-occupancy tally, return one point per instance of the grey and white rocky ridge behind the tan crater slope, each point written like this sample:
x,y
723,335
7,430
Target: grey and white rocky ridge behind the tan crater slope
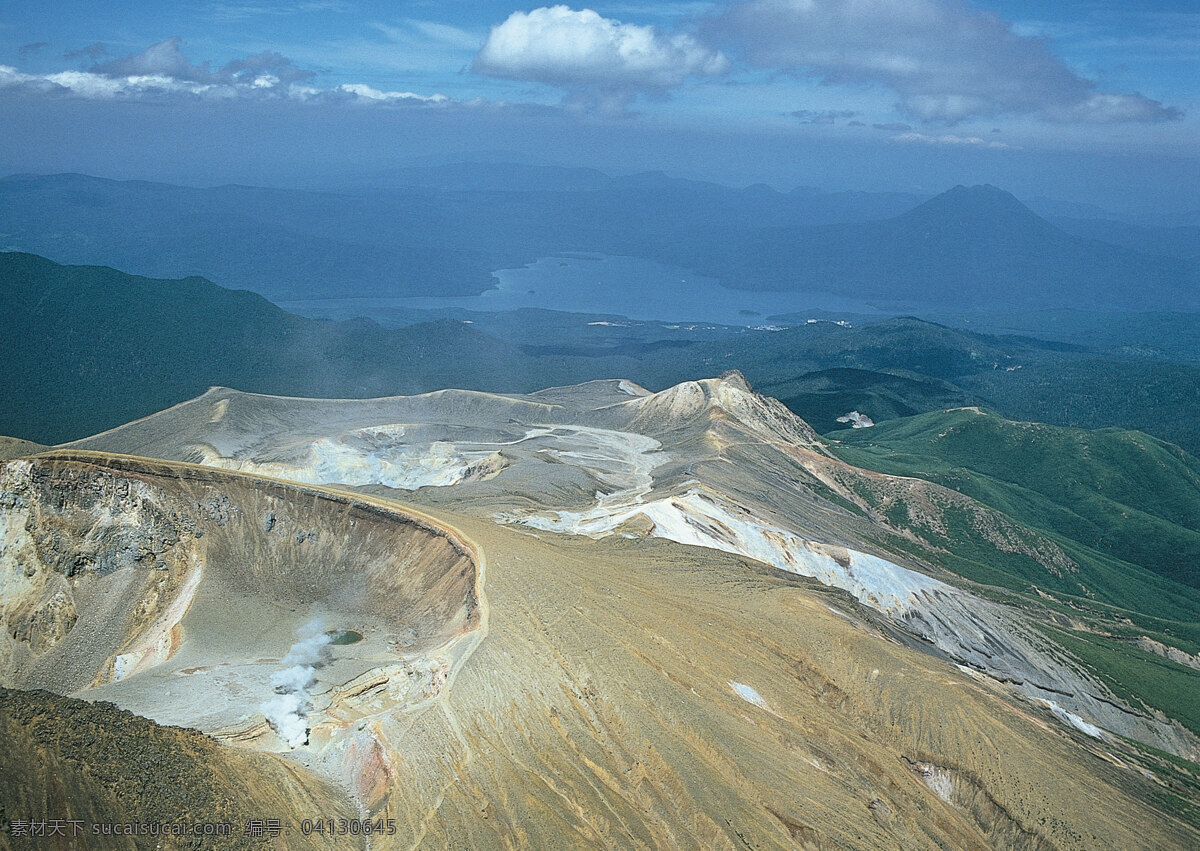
x,y
707,464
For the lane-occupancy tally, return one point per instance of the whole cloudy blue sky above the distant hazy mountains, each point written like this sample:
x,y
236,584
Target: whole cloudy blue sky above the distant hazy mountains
x,y
1093,101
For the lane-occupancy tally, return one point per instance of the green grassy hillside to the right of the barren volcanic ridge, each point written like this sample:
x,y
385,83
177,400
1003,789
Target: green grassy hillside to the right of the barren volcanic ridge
x,y
1121,493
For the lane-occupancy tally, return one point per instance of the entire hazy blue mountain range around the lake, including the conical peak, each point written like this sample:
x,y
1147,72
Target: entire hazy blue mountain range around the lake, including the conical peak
x,y
443,232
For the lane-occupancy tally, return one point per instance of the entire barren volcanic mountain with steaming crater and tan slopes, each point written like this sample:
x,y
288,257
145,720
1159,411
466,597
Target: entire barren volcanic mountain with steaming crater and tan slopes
x,y
619,619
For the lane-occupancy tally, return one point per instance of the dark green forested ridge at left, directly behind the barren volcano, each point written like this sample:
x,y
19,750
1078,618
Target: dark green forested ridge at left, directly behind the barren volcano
x,y
88,349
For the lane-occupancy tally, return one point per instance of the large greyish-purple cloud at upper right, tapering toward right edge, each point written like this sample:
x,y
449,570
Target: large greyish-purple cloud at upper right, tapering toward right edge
x,y
946,61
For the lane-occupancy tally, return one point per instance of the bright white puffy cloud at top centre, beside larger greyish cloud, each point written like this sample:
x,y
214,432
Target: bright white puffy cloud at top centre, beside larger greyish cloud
x,y
589,55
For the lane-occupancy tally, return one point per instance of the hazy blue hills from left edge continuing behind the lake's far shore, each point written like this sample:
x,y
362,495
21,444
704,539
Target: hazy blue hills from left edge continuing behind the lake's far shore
x,y
442,236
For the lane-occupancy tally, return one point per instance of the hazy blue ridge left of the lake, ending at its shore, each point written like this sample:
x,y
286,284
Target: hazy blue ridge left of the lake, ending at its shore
x,y
275,242
